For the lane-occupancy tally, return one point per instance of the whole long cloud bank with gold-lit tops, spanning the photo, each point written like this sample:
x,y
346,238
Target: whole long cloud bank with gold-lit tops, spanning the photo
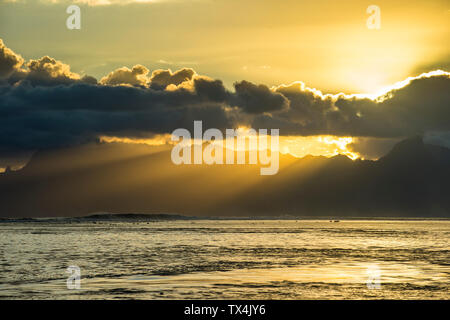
x,y
45,105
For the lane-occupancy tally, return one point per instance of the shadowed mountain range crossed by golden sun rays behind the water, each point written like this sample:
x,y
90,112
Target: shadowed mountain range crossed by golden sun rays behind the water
x,y
412,180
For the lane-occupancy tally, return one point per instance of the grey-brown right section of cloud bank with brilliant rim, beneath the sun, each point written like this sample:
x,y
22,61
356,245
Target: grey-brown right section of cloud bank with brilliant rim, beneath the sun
x,y
419,106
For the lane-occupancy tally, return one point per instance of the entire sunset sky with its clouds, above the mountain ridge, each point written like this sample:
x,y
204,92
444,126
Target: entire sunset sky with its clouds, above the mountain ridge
x,y
137,69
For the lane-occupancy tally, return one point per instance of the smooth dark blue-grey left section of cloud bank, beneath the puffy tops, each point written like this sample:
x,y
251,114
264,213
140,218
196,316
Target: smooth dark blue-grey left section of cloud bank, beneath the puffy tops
x,y
45,117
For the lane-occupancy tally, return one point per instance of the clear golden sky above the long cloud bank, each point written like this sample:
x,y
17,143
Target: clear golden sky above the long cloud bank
x,y
325,44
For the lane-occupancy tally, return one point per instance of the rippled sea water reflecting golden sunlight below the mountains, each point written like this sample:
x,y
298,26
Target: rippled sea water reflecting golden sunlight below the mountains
x,y
226,259
